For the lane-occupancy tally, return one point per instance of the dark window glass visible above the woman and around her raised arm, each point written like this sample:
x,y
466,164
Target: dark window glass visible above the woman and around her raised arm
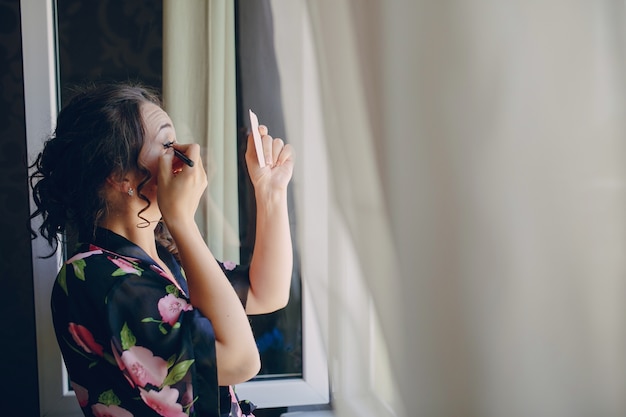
x,y
120,40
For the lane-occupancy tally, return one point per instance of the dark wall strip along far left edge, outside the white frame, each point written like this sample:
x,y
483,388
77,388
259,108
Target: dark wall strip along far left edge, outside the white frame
x,y
18,350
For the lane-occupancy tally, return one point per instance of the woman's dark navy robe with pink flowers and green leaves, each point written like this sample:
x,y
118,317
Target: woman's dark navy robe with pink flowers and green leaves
x,y
132,342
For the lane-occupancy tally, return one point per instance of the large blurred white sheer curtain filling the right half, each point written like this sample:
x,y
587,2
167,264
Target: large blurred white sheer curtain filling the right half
x,y
477,150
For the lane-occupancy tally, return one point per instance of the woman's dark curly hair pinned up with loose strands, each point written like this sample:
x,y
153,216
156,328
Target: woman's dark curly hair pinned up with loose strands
x,y
99,133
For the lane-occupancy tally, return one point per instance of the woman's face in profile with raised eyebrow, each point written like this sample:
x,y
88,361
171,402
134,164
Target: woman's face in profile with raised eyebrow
x,y
159,130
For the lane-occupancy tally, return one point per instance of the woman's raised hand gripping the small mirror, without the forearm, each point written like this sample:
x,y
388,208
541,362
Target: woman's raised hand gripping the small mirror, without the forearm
x,y
279,160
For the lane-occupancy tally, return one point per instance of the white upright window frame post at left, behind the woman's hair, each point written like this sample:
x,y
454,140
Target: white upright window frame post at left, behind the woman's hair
x,y
40,98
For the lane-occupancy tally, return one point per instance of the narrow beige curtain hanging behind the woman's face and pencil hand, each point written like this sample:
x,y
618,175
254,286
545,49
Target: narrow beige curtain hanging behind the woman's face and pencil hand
x,y
199,95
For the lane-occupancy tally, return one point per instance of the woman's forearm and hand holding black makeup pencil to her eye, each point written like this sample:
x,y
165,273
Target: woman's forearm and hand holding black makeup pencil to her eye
x,y
210,291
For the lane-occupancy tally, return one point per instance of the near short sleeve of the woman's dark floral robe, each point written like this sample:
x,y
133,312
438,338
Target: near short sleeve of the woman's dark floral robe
x,y
159,341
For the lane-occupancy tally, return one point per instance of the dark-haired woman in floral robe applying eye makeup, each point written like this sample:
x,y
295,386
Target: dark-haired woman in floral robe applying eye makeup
x,y
146,331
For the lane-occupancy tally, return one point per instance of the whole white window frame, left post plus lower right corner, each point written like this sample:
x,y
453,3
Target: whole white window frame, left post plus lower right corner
x,y
41,98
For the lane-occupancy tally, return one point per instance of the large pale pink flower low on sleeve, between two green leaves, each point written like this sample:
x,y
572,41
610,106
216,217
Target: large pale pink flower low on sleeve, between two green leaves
x,y
143,367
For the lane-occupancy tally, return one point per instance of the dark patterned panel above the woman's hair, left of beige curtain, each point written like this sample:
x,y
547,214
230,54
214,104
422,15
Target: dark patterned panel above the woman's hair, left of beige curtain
x,y
110,40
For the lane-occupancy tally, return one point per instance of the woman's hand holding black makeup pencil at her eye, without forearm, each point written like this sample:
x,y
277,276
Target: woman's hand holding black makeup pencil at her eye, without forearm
x,y
179,190
